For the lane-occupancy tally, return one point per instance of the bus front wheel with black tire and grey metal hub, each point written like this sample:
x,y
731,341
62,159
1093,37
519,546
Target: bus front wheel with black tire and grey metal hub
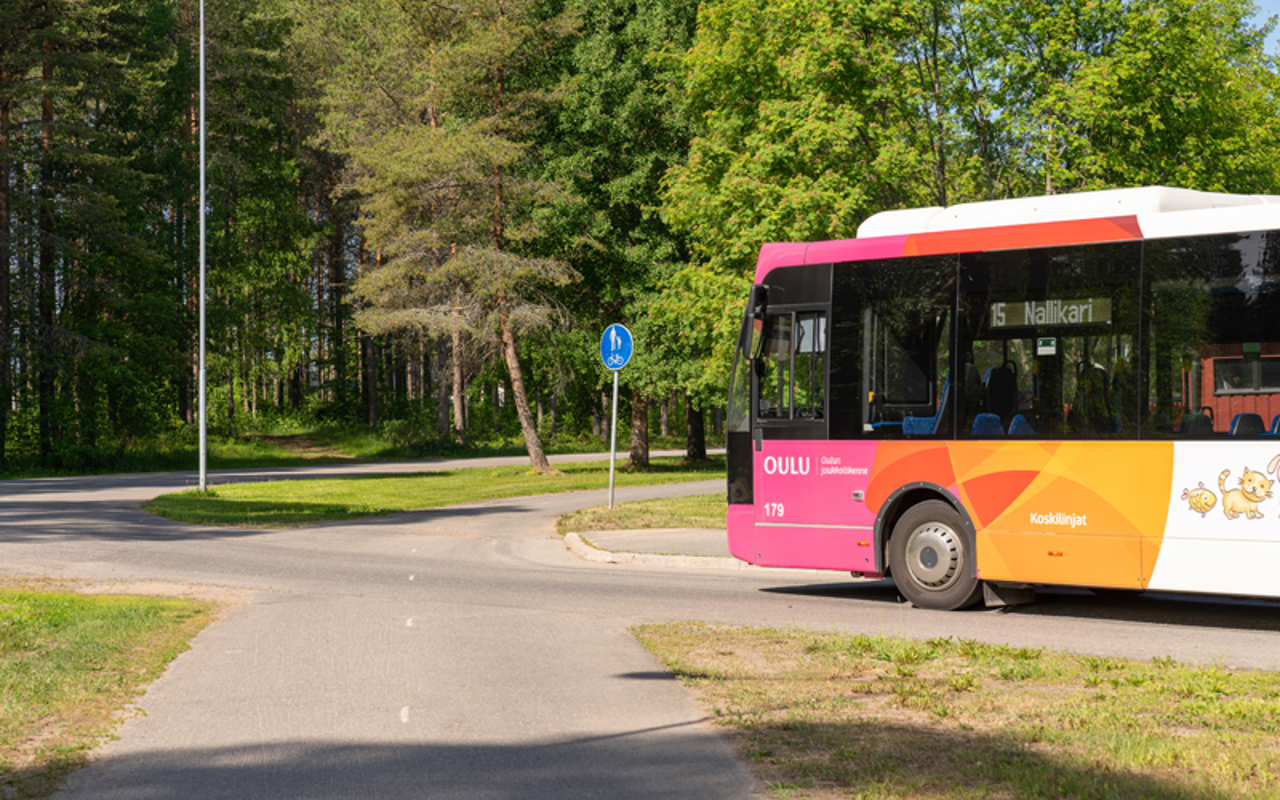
x,y
931,560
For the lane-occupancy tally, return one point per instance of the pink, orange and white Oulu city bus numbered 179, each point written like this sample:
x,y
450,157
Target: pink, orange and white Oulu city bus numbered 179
x,y
981,400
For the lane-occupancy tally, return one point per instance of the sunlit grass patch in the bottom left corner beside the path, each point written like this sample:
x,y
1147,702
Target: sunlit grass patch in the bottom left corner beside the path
x,y
70,666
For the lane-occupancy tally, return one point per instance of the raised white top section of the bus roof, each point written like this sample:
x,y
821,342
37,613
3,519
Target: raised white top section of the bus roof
x,y
1162,212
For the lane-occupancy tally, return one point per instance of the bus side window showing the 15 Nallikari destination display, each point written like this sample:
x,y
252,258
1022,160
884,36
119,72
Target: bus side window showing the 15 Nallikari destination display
x,y
1049,344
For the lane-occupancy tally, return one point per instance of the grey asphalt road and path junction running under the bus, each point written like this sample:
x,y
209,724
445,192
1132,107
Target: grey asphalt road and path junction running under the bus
x,y
465,653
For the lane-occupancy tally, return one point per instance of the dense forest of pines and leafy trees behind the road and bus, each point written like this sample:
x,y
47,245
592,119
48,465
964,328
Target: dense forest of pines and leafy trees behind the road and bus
x,y
423,214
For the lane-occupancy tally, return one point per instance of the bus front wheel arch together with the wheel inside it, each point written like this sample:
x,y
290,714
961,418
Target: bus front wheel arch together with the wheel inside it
x,y
931,548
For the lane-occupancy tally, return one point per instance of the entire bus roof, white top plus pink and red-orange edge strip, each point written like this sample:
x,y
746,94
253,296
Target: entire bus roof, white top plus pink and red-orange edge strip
x,y
1148,213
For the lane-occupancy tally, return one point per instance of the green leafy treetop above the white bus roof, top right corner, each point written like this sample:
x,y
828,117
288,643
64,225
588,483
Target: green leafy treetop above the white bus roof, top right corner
x,y
1101,95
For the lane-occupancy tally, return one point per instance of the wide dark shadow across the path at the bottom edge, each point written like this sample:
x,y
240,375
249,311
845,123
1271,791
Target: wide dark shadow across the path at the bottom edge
x,y
684,761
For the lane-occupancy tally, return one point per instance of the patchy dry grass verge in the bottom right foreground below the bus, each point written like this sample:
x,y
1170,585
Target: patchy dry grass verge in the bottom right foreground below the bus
x,y
868,717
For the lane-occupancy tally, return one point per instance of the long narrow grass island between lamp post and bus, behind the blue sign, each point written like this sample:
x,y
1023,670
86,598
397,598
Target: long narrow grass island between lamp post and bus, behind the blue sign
x,y
308,502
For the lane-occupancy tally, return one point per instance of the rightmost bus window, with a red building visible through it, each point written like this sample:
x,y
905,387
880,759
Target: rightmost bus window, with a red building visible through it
x,y
1214,337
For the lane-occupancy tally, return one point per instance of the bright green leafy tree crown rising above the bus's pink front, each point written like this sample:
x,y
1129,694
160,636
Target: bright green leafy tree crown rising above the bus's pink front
x,y
812,121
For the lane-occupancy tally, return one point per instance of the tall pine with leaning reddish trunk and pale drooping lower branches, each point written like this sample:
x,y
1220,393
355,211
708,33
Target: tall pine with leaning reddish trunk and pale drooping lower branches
x,y
433,106
